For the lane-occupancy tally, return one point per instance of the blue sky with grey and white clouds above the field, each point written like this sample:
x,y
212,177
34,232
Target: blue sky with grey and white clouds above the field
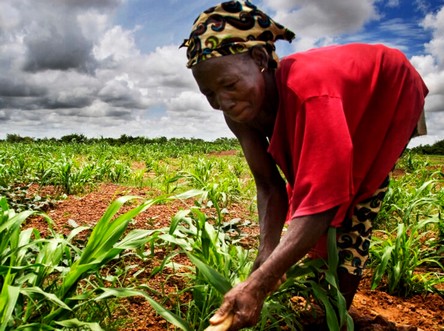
x,y
106,68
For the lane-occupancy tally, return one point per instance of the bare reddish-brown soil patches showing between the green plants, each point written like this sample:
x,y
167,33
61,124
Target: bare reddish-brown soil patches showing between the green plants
x,y
371,310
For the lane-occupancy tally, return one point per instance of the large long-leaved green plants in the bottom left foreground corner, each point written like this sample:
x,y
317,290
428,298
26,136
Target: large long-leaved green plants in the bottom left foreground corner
x,y
45,282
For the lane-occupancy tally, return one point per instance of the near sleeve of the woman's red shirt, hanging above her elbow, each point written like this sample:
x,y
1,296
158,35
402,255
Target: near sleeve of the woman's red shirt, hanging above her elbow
x,y
323,159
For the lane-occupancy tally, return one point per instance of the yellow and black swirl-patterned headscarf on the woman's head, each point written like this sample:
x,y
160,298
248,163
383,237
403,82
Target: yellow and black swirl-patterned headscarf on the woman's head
x,y
231,28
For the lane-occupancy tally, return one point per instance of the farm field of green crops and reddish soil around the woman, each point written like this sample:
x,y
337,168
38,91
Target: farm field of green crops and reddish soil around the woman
x,y
202,214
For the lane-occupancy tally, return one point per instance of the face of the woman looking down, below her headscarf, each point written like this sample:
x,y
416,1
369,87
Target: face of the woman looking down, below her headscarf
x,y
233,84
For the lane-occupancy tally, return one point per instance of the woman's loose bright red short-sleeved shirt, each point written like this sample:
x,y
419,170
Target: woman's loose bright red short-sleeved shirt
x,y
346,114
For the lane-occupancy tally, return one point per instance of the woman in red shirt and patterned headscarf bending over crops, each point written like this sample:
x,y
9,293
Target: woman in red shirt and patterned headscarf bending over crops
x,y
334,120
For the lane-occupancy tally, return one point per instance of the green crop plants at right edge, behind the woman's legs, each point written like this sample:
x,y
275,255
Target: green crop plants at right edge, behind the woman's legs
x,y
407,250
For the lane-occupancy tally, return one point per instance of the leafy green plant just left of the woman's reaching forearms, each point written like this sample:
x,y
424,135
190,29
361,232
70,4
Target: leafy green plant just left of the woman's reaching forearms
x,y
218,262
